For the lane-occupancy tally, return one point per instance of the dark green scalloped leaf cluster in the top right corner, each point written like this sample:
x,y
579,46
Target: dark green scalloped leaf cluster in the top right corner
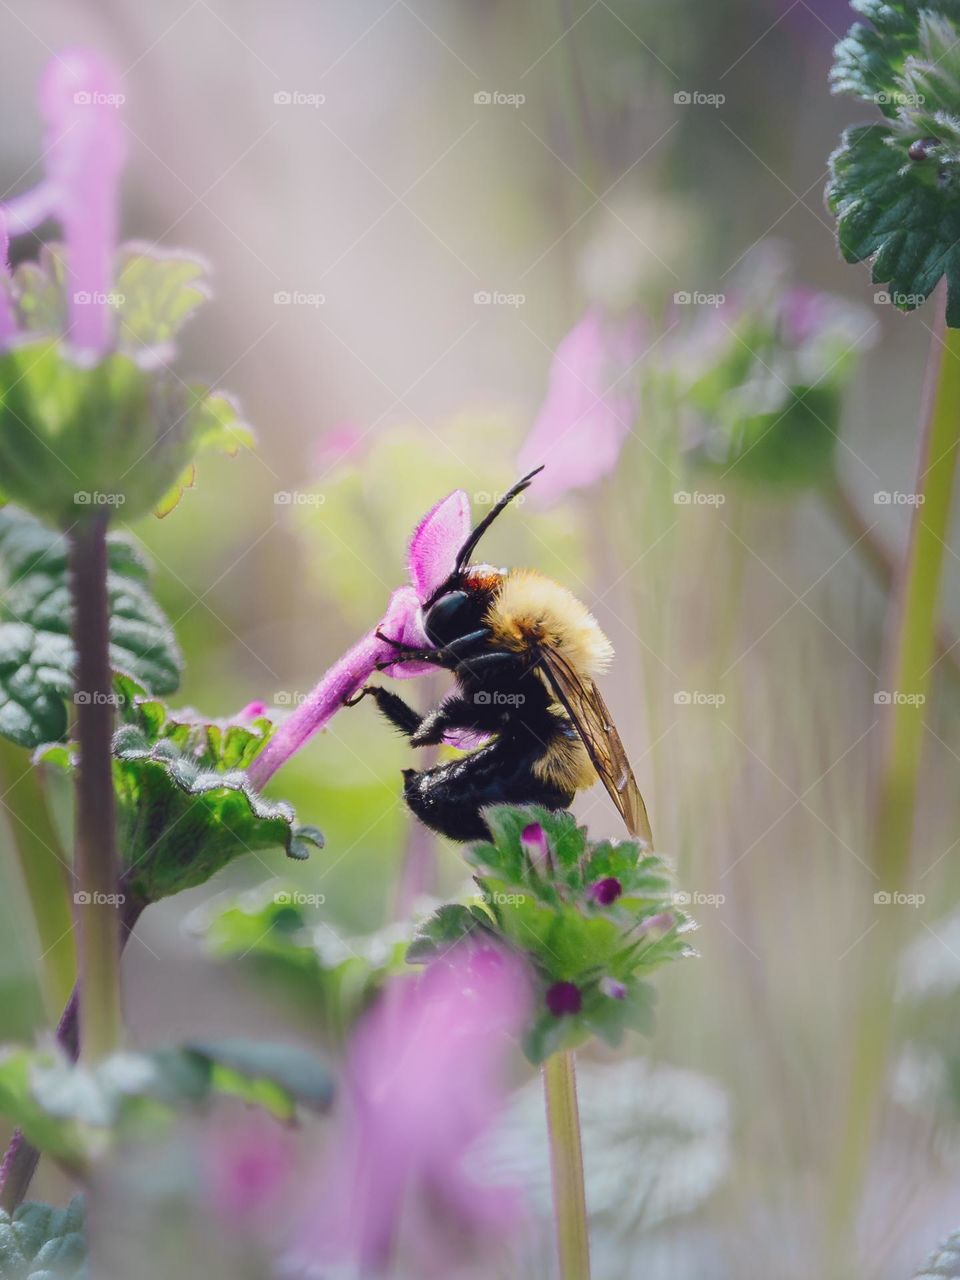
x,y
895,185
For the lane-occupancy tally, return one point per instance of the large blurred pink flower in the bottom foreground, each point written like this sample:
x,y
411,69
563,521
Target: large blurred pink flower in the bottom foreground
x,y
426,1080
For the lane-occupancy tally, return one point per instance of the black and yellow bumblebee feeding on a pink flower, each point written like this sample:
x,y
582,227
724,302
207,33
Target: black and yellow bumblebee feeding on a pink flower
x,y
525,655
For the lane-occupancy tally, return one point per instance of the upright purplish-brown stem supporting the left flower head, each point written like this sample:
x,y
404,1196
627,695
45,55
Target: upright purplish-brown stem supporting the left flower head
x,y
97,866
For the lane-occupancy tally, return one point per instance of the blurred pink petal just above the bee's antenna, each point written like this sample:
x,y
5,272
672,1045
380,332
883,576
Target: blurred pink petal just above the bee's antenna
x,y
589,410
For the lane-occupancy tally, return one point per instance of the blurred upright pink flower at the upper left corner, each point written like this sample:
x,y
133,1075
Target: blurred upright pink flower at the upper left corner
x,y
85,150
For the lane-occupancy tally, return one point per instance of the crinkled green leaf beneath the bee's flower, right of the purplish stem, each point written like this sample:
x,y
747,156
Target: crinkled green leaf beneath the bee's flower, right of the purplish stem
x,y
185,804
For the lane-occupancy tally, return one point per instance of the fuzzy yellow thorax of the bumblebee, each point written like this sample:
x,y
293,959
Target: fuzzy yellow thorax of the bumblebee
x,y
532,610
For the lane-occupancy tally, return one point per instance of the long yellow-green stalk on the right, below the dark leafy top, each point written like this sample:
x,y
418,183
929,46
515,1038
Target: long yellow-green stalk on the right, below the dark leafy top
x,y
908,665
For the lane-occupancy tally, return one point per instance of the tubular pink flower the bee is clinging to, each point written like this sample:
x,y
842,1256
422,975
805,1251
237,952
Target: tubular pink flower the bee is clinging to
x,y
431,560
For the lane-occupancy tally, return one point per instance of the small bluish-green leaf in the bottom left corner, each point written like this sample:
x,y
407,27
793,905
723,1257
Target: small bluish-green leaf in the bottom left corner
x,y
40,1242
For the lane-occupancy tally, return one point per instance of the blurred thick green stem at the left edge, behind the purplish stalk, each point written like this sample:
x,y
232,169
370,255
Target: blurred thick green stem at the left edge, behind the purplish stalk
x,y
44,871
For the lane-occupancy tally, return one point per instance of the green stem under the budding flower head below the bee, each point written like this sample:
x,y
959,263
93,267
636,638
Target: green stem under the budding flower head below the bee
x,y
566,1167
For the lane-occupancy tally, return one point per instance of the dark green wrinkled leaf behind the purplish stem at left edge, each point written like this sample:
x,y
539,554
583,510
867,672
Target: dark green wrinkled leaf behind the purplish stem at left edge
x,y
36,653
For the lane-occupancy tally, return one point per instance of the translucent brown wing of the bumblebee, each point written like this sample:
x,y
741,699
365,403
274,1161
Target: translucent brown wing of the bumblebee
x,y
583,703
